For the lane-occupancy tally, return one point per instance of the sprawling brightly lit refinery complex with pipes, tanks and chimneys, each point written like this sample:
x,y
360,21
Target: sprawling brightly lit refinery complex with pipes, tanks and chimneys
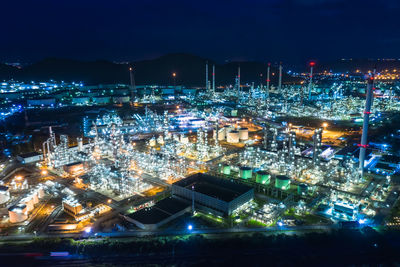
x,y
241,135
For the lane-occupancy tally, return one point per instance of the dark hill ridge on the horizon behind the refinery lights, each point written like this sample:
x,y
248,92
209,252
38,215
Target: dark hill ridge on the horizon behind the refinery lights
x,y
190,71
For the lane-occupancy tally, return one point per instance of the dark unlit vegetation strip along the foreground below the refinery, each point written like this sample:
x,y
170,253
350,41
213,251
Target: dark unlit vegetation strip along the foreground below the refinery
x,y
344,247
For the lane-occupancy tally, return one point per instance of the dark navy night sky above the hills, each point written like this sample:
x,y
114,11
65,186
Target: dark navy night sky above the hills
x,y
289,30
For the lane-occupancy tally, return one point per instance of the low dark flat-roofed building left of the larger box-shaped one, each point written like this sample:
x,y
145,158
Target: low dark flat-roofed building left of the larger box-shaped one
x,y
161,213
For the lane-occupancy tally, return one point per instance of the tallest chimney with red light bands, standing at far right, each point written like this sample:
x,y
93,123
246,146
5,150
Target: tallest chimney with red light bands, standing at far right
x,y
367,112
